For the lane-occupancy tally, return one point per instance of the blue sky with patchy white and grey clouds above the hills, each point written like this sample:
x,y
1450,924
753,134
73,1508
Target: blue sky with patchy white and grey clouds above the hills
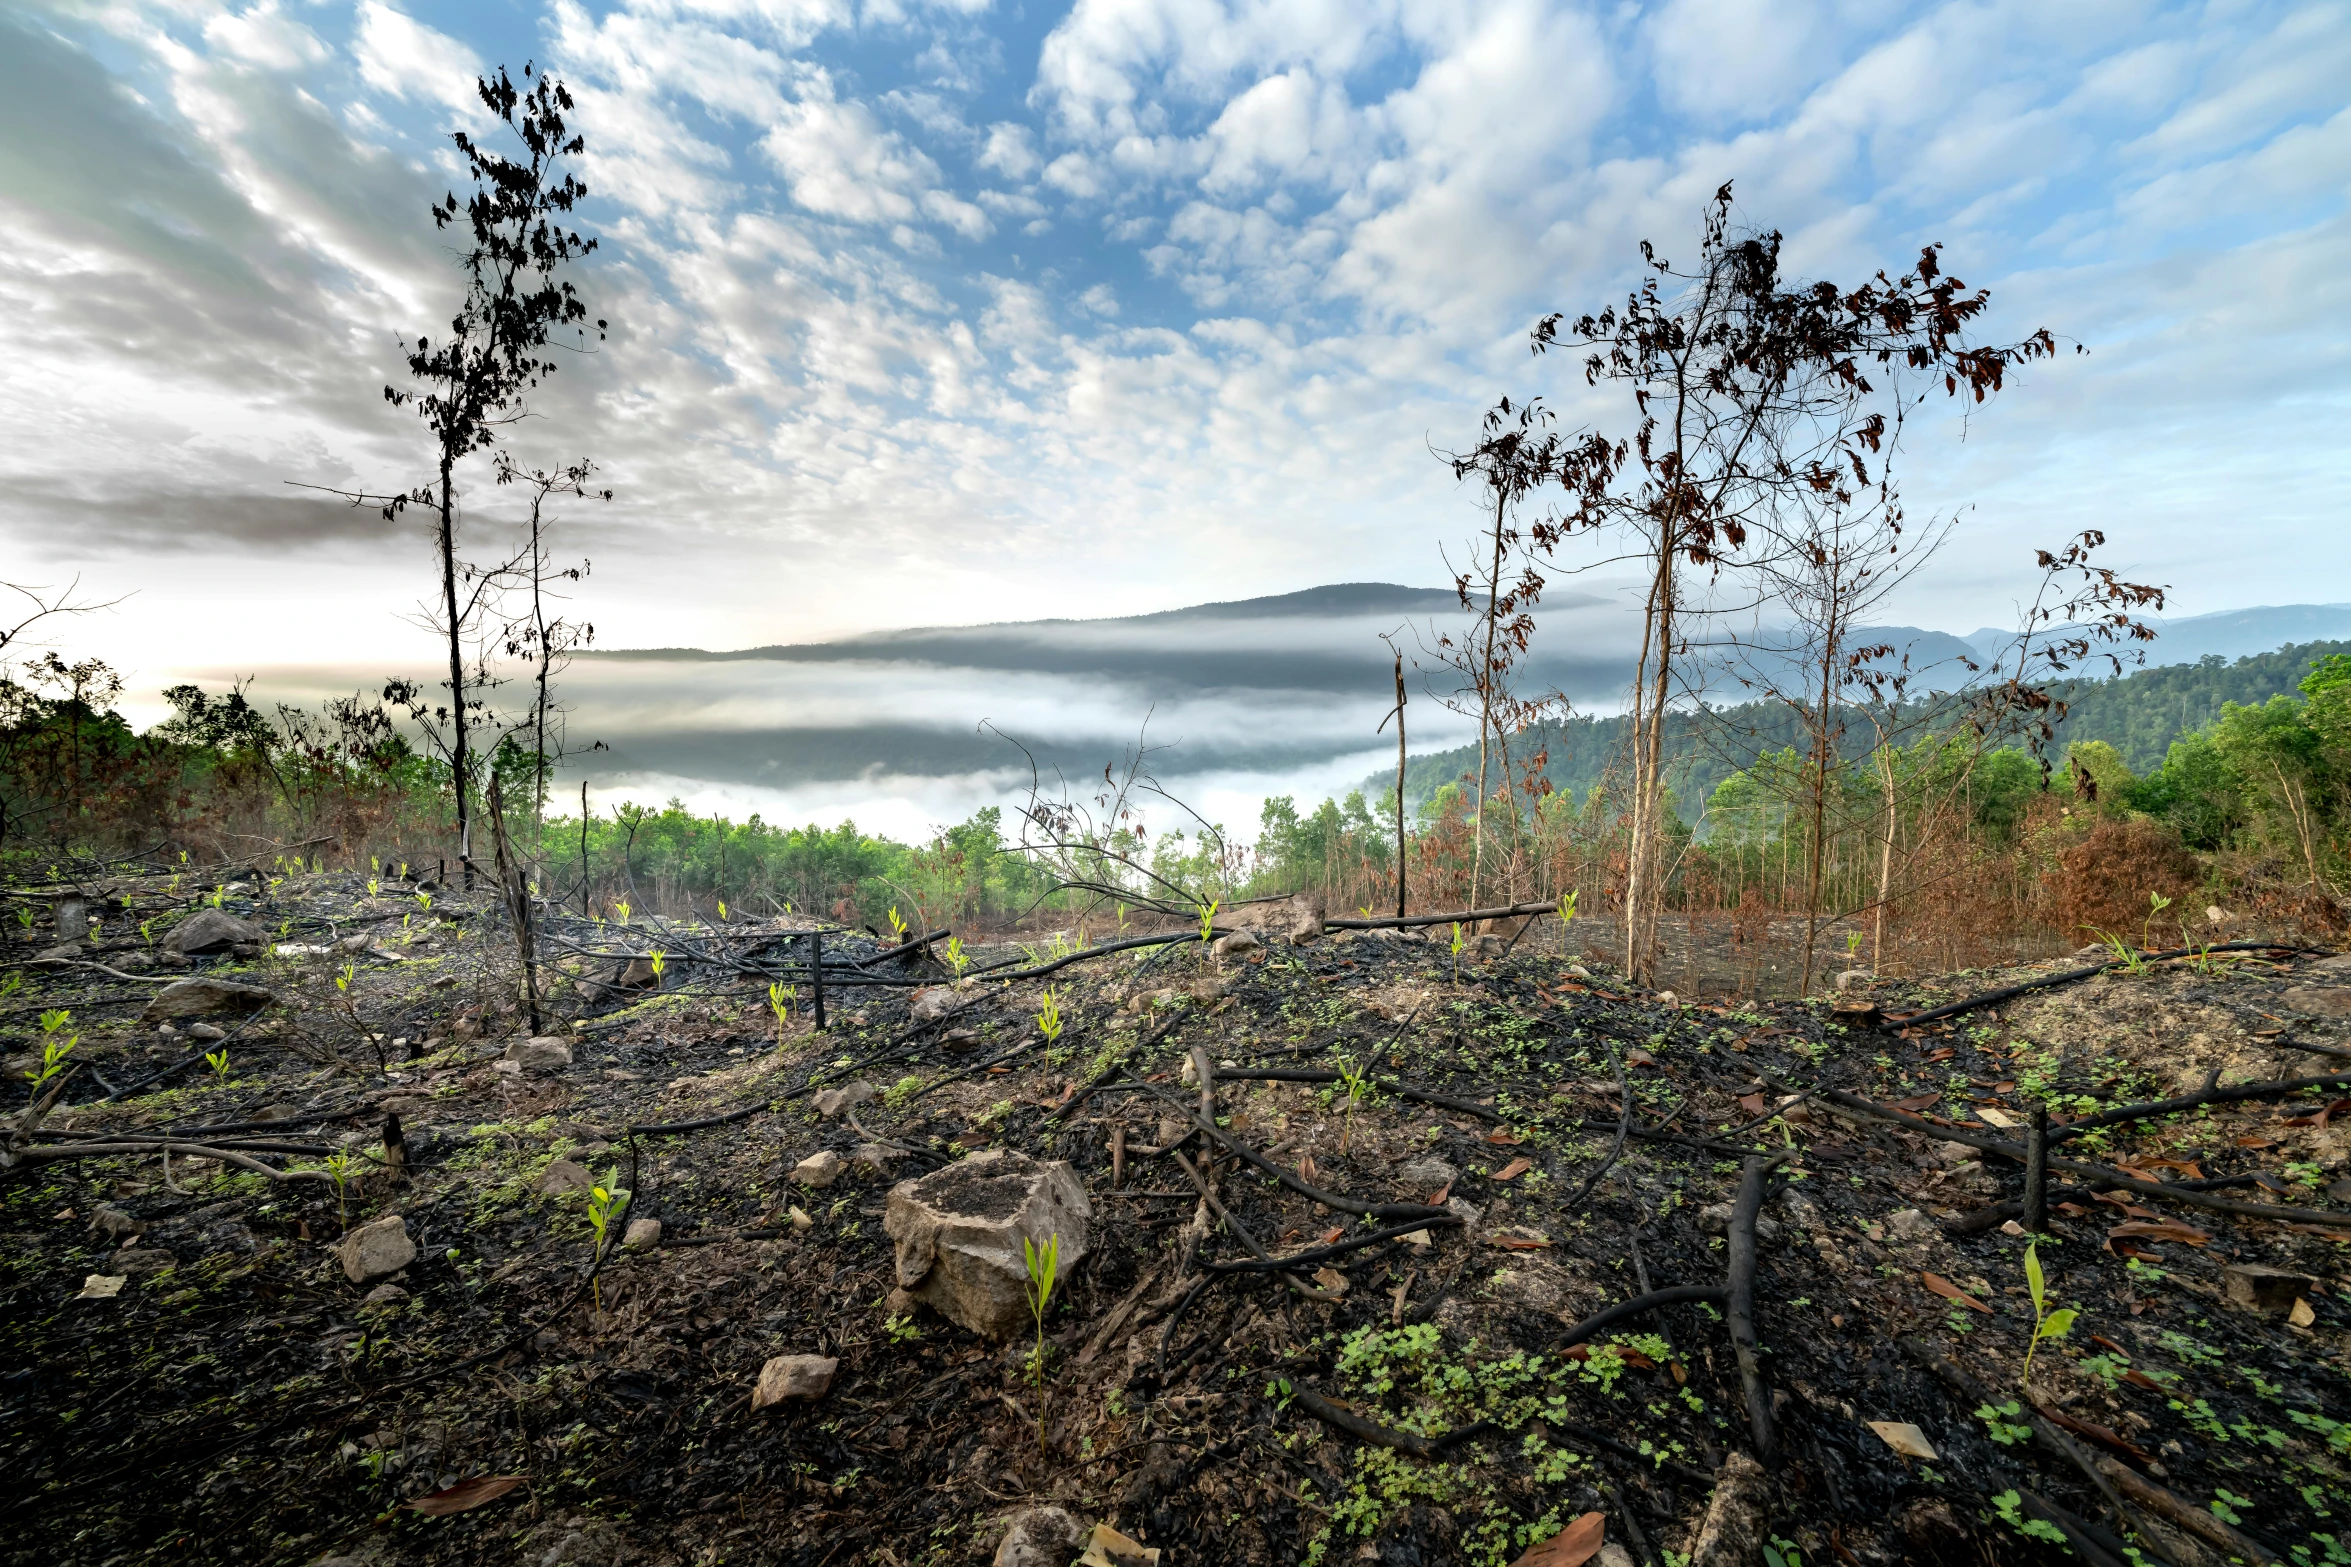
x,y
996,311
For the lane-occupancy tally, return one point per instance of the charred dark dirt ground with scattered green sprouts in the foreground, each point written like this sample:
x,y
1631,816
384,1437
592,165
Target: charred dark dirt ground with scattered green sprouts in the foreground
x,y
241,1399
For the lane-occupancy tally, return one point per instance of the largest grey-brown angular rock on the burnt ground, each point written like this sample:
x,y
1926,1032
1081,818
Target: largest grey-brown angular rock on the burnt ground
x,y
960,1235
